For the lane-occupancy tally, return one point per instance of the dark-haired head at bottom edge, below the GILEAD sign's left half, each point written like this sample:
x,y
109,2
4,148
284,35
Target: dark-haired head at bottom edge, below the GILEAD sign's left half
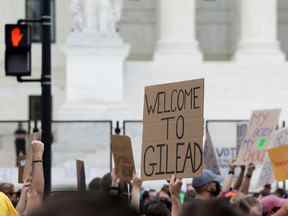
x,y
156,207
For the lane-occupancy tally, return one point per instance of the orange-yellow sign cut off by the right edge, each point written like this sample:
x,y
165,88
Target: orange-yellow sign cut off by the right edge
x,y
279,159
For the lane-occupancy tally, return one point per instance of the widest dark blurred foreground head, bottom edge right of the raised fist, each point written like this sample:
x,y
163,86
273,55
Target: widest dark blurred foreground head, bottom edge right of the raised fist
x,y
89,203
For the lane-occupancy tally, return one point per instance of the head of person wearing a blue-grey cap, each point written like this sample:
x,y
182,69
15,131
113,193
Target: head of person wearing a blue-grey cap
x,y
205,185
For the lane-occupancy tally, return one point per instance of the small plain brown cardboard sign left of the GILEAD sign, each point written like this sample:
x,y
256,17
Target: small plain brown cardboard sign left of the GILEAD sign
x,y
123,157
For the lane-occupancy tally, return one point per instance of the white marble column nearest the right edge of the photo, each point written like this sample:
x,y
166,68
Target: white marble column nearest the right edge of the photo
x,y
258,39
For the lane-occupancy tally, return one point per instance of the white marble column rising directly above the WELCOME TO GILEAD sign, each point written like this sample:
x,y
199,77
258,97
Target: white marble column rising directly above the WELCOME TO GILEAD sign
x,y
177,35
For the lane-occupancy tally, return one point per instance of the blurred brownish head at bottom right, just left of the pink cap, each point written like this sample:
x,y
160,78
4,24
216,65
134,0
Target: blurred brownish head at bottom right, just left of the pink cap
x,y
247,204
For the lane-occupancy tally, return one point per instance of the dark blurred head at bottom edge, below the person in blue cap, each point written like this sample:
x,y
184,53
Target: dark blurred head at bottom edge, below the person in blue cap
x,y
211,207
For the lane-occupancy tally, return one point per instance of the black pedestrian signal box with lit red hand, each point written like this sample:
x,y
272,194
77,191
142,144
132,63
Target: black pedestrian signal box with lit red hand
x,y
18,50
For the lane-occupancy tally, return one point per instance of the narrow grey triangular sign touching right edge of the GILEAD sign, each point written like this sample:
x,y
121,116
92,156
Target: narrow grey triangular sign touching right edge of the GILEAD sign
x,y
210,160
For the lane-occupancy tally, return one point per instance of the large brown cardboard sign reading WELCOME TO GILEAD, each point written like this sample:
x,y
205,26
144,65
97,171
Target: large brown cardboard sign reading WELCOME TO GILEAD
x,y
173,130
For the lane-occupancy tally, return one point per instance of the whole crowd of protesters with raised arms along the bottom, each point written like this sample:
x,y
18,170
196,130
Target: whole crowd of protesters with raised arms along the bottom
x,y
208,194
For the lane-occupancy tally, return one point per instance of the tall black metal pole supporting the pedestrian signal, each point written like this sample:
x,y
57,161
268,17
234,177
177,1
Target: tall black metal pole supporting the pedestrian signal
x,y
46,101
